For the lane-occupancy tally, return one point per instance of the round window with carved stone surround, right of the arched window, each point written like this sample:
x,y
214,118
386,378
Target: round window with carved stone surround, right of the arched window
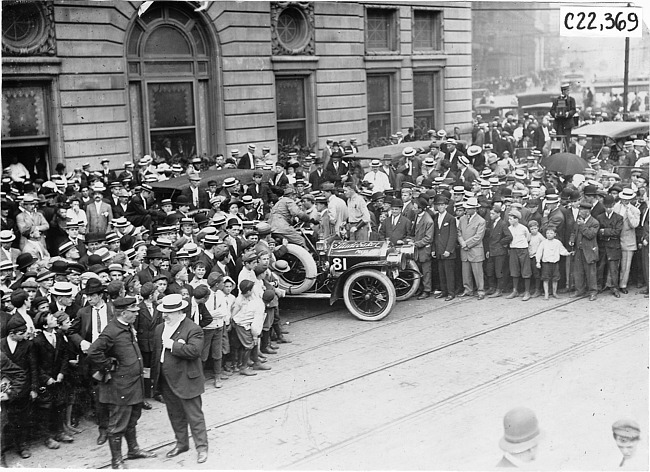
x,y
292,28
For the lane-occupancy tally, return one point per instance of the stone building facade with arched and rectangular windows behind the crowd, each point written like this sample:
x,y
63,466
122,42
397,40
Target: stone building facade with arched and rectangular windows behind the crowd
x,y
83,80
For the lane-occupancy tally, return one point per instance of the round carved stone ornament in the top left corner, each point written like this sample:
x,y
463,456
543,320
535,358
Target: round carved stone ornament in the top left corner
x,y
28,28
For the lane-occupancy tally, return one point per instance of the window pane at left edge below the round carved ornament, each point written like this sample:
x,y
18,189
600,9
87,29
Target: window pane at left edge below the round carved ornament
x,y
23,113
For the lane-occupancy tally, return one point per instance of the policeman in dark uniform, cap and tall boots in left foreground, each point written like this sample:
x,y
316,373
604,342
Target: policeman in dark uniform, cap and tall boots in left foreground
x,y
117,356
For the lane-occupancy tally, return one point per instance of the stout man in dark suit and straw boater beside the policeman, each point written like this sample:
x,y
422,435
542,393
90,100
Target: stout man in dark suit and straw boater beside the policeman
x,y
177,371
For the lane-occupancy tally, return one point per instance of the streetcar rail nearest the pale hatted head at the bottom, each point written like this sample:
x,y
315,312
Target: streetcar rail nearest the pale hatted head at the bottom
x,y
469,394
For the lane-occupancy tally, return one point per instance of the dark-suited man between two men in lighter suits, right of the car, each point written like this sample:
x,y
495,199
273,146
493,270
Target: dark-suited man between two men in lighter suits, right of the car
x,y
445,235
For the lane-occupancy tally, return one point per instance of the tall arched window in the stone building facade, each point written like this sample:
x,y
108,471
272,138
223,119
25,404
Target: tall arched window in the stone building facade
x,y
168,56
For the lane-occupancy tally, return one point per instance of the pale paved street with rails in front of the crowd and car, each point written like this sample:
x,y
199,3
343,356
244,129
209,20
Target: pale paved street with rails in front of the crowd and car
x,y
426,388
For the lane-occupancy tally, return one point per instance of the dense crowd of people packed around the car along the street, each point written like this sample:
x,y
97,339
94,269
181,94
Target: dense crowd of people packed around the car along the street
x,y
85,254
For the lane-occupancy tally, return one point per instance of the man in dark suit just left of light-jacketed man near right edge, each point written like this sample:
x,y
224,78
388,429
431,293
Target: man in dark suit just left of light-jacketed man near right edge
x,y
609,246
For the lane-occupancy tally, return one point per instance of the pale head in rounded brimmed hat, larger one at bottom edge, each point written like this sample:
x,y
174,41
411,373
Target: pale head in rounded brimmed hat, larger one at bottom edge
x,y
521,437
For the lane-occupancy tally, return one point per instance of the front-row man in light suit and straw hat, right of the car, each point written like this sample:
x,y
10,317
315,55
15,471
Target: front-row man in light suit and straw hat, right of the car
x,y
471,230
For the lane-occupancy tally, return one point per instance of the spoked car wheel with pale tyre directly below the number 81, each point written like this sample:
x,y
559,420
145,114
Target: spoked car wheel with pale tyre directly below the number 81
x,y
369,295
